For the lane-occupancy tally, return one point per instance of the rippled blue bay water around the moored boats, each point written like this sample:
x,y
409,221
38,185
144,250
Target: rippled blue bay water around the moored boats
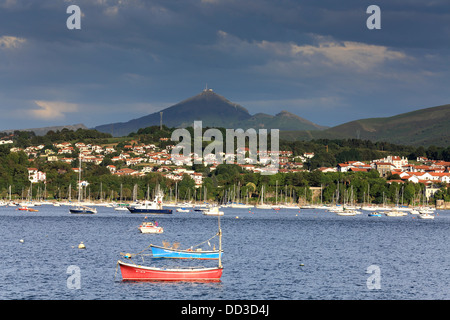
x,y
269,255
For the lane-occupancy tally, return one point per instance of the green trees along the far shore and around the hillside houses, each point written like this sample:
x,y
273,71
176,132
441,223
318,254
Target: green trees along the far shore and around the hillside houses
x,y
226,182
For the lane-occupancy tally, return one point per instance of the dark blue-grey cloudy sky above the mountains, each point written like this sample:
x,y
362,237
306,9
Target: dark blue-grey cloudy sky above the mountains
x,y
316,59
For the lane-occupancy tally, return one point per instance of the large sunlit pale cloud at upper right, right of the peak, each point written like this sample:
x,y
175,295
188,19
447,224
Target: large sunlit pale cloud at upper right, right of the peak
x,y
324,53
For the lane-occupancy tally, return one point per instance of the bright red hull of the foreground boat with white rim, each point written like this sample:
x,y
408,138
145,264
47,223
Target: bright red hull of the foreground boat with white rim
x,y
131,272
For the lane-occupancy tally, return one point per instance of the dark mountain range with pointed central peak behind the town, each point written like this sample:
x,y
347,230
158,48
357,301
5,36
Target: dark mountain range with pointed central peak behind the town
x,y
422,127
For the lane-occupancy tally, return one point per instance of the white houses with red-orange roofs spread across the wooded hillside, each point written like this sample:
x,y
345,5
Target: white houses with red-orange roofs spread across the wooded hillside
x,y
138,159
